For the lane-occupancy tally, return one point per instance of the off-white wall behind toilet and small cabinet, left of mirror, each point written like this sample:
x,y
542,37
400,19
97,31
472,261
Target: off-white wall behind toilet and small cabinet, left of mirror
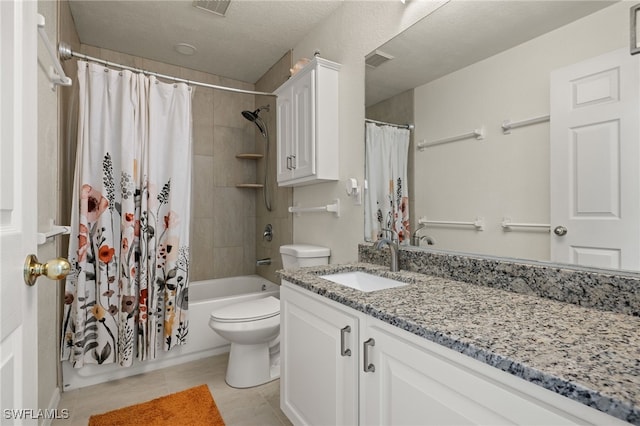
x,y
354,30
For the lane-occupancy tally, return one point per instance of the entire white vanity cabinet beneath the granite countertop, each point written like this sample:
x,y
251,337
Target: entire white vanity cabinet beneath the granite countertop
x,y
396,378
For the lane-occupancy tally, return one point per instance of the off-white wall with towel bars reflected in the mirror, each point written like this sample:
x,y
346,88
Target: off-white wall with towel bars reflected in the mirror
x,y
504,175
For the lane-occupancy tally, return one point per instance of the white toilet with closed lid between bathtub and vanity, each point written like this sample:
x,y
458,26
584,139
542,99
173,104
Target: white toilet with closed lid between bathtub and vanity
x,y
253,327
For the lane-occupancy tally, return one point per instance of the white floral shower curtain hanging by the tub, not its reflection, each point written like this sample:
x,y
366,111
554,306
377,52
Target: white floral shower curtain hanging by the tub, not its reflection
x,y
127,296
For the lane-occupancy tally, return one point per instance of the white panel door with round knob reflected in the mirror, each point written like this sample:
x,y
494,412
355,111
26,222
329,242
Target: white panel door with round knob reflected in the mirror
x,y
595,162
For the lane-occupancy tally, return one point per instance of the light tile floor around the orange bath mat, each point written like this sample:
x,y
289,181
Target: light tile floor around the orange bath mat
x,y
258,406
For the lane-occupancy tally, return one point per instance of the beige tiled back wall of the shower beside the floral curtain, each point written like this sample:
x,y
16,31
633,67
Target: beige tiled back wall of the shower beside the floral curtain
x,y
223,217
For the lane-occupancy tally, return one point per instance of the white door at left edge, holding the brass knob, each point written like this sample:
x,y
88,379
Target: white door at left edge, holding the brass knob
x,y
18,154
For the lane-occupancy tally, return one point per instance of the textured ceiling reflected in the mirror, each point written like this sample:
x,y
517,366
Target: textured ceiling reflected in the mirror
x,y
461,33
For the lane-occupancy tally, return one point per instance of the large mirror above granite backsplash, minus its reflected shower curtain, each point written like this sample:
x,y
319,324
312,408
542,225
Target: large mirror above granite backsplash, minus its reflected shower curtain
x,y
488,64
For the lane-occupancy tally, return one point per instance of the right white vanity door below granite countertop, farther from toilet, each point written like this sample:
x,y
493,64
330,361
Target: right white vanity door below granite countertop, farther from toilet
x,y
418,382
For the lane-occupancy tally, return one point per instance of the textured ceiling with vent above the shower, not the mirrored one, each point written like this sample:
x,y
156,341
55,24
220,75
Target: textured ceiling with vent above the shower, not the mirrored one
x,y
242,45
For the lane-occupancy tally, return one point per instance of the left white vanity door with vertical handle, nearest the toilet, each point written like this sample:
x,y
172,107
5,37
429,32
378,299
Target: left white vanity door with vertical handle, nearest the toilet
x,y
319,375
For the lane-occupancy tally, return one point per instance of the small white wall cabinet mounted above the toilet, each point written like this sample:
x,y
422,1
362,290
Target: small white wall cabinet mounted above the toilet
x,y
307,120
